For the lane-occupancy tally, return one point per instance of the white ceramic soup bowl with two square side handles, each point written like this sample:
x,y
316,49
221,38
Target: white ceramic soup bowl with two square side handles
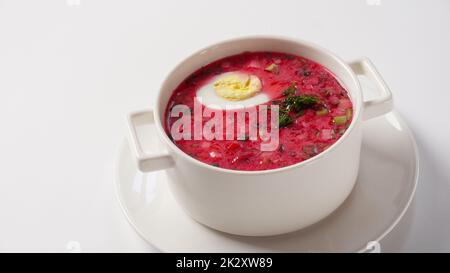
x,y
270,202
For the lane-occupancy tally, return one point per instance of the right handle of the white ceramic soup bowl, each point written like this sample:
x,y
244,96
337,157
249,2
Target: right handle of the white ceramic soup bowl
x,y
382,104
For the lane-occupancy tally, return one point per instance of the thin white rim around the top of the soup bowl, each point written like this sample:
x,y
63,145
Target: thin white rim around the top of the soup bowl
x,y
356,117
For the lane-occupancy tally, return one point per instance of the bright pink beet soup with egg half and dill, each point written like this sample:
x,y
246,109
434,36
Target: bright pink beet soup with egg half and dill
x,y
314,109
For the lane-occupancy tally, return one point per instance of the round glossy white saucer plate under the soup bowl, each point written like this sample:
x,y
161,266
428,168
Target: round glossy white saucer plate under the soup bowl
x,y
386,184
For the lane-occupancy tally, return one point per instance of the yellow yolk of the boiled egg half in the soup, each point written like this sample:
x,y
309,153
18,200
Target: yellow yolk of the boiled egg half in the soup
x,y
236,86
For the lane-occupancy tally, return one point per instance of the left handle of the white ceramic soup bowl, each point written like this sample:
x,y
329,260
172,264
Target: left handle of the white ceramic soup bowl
x,y
146,162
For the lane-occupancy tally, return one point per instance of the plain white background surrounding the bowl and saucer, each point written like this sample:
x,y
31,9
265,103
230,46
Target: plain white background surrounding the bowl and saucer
x,y
70,70
